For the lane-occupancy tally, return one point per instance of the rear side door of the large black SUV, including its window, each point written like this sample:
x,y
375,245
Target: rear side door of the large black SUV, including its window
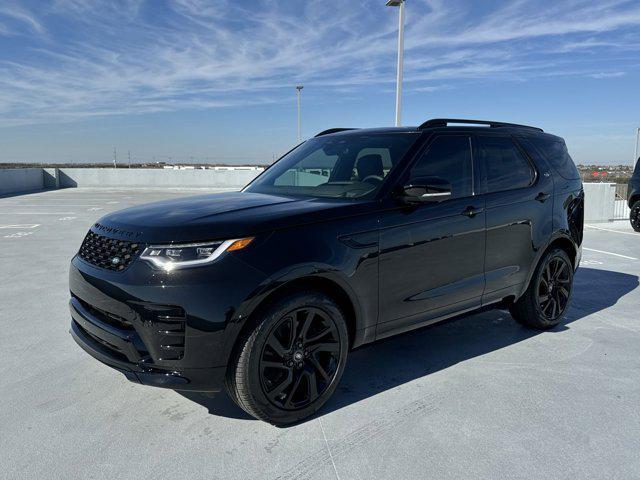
x,y
519,212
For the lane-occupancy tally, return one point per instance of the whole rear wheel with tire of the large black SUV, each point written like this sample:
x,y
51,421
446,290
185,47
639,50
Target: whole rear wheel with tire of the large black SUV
x,y
548,295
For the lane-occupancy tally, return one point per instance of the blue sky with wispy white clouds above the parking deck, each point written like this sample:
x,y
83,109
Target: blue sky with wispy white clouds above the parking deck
x,y
215,79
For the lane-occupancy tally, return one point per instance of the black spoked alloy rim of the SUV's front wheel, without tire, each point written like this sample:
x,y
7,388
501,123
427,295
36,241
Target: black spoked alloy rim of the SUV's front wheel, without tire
x,y
300,358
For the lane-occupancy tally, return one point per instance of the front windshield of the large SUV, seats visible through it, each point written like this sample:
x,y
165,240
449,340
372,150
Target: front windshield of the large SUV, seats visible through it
x,y
342,166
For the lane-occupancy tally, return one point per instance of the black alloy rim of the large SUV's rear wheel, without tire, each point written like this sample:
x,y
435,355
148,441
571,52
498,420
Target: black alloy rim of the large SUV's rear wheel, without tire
x,y
554,288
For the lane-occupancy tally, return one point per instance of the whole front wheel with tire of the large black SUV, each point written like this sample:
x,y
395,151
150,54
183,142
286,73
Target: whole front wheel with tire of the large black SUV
x,y
288,366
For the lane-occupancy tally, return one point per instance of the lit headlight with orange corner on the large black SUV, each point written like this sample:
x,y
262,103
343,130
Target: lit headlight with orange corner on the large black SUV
x,y
171,257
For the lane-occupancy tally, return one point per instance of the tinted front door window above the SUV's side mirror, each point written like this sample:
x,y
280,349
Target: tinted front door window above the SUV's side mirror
x,y
448,158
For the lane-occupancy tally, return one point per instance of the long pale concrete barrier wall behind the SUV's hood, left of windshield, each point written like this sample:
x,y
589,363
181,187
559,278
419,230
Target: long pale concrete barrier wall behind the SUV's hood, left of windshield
x,y
143,177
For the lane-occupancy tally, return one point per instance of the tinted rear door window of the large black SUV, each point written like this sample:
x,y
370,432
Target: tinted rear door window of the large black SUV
x,y
505,167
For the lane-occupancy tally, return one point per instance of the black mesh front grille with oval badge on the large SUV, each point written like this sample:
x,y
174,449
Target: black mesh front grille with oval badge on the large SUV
x,y
109,253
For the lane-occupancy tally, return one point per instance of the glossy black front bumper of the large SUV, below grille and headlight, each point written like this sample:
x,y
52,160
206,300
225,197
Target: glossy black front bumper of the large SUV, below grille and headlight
x,y
157,329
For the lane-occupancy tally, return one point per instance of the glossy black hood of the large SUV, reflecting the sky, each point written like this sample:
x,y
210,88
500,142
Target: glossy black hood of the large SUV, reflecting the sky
x,y
217,216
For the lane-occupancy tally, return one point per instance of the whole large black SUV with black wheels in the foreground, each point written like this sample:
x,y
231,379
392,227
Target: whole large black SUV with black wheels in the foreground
x,y
353,236
